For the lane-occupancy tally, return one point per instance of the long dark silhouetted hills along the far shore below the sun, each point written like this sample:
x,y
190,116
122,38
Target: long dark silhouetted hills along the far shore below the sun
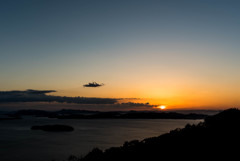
x,y
83,114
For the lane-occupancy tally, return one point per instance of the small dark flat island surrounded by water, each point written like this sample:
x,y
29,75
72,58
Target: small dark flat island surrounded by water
x,y
53,128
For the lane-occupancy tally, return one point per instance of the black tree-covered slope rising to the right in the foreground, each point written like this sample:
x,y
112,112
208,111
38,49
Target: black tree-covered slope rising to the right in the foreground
x,y
218,137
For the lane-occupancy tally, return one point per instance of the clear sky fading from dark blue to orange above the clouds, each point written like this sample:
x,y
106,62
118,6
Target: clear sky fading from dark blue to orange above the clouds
x,y
180,53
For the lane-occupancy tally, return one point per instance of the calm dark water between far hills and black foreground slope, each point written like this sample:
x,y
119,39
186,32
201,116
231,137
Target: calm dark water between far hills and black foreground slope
x,y
19,143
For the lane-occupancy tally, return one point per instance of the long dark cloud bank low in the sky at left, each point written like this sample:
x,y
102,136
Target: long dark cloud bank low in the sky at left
x,y
40,96
